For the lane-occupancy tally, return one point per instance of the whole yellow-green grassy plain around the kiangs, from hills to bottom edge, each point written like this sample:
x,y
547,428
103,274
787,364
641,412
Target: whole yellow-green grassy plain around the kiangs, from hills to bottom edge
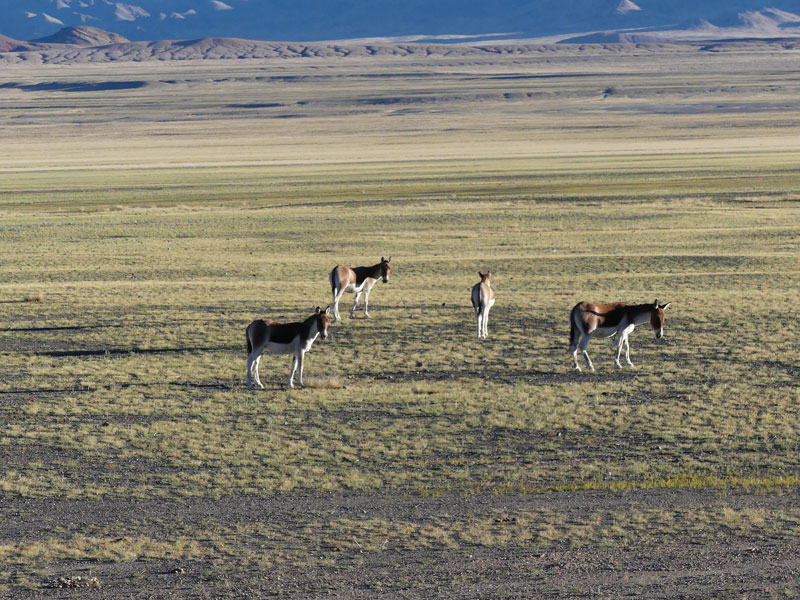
x,y
149,212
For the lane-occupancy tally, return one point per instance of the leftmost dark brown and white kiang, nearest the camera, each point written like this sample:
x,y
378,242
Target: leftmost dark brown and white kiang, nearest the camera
x,y
284,338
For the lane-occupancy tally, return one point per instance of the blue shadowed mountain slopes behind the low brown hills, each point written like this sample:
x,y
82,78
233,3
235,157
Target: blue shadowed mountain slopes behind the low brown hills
x,y
318,20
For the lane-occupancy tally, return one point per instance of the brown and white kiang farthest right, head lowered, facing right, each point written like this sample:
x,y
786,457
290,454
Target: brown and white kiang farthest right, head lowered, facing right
x,y
588,320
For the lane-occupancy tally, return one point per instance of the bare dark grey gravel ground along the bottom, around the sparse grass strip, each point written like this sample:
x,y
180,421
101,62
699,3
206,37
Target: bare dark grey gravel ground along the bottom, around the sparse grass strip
x,y
677,566
